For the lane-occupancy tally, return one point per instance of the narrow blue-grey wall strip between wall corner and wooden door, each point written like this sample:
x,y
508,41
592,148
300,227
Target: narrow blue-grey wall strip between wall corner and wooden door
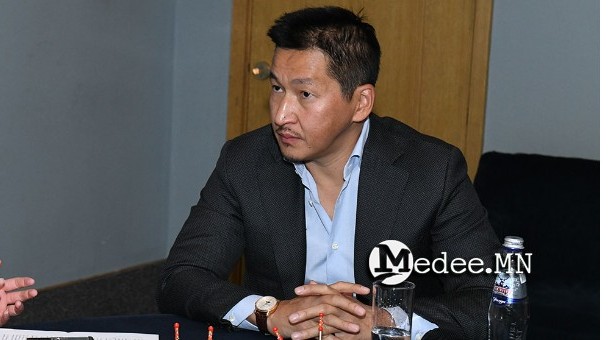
x,y
201,75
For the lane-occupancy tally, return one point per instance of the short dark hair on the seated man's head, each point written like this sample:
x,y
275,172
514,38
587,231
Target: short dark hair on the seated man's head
x,y
349,43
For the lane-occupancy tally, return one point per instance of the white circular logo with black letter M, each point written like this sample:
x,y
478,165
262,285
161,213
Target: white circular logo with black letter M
x,y
391,262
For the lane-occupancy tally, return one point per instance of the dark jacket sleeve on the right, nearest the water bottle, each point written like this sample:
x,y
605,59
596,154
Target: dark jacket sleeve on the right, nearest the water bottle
x,y
462,230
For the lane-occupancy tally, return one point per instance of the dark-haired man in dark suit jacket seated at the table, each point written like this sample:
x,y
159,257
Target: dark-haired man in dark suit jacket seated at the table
x,y
308,197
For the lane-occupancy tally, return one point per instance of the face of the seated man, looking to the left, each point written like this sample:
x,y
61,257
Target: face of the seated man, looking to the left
x,y
311,119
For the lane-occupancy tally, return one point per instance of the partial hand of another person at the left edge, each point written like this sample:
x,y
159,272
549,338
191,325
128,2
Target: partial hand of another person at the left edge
x,y
11,298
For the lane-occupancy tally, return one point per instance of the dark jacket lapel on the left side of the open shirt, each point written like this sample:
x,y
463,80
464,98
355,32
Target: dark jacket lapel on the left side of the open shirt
x,y
284,205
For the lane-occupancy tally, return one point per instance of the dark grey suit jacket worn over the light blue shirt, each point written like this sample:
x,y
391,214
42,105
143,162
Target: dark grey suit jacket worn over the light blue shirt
x,y
413,188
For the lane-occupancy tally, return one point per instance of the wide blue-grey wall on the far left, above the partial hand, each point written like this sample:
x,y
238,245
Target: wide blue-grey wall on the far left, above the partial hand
x,y
85,114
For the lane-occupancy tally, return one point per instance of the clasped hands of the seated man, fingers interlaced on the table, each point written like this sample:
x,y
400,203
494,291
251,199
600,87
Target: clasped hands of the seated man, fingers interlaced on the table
x,y
344,316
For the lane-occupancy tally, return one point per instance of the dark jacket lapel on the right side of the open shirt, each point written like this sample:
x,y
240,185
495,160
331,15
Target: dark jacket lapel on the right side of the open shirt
x,y
380,191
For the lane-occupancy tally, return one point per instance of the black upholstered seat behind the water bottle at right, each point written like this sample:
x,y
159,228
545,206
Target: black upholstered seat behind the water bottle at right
x,y
554,204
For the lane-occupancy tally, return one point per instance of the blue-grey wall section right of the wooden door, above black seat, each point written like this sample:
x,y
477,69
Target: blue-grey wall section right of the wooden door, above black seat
x,y
543,94
